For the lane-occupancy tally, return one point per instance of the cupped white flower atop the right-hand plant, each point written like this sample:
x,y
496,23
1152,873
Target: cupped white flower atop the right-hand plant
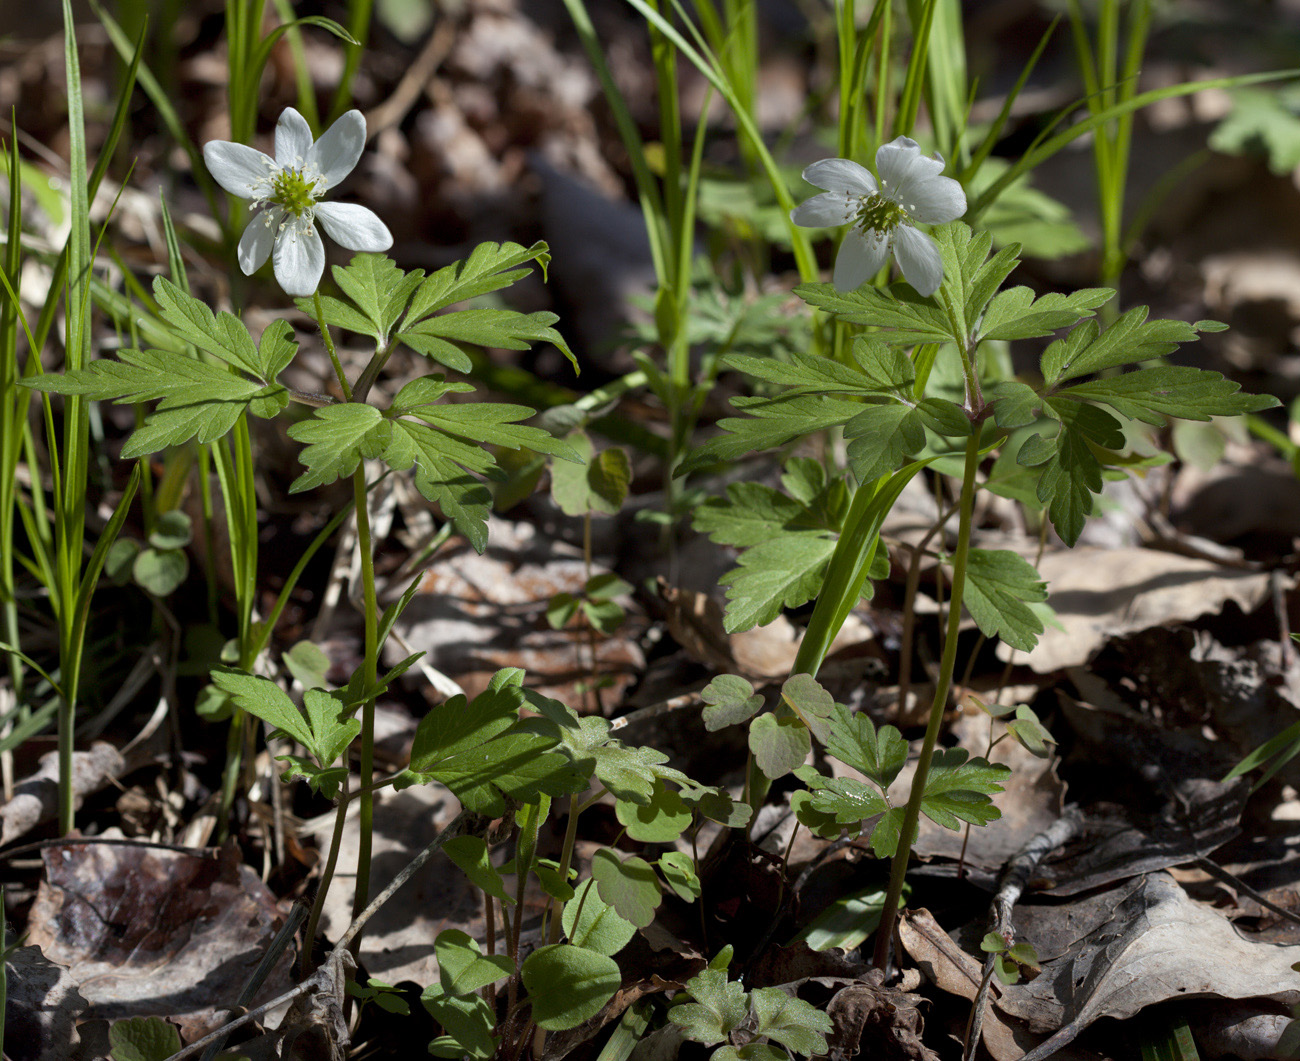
x,y
911,190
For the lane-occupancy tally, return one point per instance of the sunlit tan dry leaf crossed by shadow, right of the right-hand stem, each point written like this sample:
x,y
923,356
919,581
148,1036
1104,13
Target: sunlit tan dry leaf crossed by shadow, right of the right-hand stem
x,y
1104,594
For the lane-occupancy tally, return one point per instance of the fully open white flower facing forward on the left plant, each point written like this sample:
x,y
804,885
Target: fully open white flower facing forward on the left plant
x,y
287,193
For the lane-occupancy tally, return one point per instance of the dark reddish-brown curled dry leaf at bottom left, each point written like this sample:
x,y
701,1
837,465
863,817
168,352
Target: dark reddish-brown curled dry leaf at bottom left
x,y
150,932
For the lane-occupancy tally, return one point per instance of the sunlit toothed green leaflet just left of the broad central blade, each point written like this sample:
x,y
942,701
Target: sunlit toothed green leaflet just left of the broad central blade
x,y
774,575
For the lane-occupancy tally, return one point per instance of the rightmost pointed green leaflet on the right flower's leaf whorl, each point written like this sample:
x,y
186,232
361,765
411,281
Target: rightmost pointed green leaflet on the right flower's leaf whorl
x,y
1152,395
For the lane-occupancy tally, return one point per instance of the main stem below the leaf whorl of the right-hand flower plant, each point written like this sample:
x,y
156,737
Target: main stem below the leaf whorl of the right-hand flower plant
x,y
912,816
